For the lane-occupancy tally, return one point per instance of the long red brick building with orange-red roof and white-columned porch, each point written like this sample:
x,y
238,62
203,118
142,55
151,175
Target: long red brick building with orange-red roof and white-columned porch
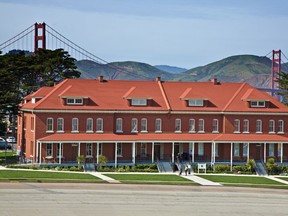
x,y
135,121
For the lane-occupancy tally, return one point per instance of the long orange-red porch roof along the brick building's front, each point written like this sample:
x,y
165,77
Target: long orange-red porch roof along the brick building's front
x,y
162,137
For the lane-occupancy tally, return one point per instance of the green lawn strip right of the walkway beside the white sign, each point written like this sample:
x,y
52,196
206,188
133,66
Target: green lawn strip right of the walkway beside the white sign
x,y
251,181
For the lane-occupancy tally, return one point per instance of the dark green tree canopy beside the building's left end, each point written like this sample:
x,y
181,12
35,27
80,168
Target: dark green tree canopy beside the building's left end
x,y
22,74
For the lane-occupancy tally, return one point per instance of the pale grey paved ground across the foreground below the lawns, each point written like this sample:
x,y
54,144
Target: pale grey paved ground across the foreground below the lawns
x,y
121,199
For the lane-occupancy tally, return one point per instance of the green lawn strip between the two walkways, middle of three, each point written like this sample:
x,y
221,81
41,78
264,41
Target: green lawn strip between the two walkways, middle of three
x,y
150,179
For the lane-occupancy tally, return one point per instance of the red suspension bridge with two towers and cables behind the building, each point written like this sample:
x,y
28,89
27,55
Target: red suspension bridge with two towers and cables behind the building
x,y
43,36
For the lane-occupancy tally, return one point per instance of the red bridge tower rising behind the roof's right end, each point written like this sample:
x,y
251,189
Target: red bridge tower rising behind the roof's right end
x,y
275,69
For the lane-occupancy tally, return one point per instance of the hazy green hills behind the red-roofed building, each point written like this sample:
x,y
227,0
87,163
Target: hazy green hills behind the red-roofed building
x,y
252,69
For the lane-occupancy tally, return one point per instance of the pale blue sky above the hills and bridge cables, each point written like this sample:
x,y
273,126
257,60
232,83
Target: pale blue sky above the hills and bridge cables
x,y
182,33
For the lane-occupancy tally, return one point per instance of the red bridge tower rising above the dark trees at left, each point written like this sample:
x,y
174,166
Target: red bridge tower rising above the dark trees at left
x,y
39,36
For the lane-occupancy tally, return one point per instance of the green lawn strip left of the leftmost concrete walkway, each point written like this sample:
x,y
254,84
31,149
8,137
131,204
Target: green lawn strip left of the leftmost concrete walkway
x,y
40,176
